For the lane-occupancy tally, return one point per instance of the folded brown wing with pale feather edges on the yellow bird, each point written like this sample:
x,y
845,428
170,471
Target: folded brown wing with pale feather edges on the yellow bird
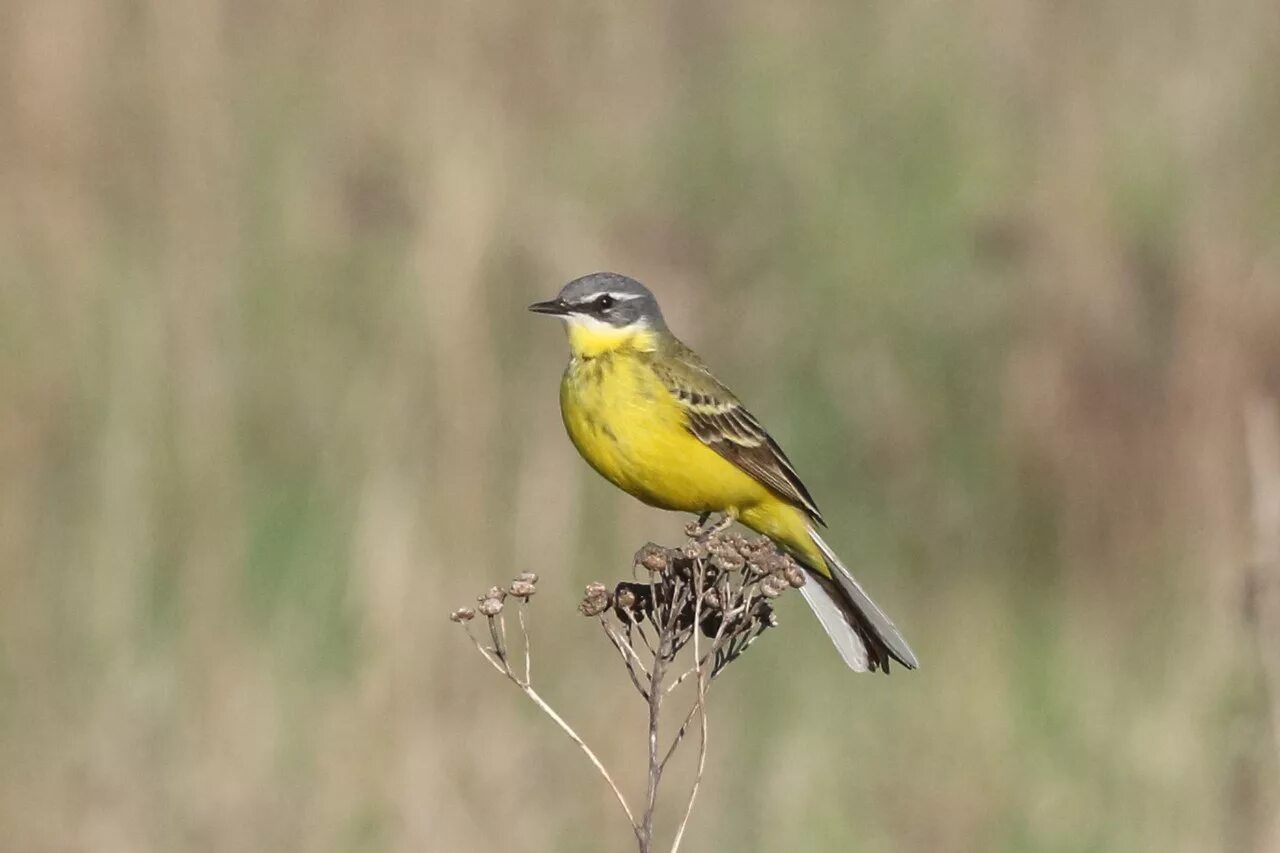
x,y
724,425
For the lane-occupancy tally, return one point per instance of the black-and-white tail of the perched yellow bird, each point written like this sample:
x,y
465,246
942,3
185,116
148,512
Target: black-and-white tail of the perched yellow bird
x,y
863,635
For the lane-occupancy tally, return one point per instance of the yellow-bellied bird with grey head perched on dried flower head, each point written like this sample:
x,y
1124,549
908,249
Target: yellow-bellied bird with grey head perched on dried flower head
x,y
648,414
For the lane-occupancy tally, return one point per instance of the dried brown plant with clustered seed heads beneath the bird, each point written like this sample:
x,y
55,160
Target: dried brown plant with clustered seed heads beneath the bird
x,y
688,614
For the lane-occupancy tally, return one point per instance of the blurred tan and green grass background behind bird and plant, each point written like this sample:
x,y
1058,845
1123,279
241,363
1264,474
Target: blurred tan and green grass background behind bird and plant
x,y
1000,276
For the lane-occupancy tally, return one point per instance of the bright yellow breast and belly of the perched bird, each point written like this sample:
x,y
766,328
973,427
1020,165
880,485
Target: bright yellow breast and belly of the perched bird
x,y
630,428
